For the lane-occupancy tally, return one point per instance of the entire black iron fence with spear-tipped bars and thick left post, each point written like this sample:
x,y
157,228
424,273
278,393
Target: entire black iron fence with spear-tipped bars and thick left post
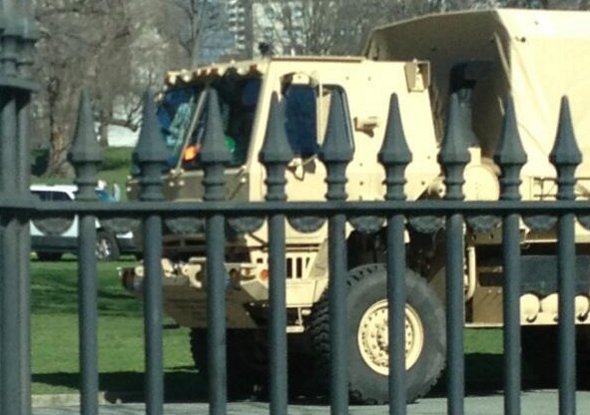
x,y
17,207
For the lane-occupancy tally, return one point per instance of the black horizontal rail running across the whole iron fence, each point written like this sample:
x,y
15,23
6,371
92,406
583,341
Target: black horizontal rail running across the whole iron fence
x,y
36,209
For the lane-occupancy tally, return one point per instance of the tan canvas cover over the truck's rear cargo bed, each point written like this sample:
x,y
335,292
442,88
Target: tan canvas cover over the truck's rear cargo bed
x,y
537,56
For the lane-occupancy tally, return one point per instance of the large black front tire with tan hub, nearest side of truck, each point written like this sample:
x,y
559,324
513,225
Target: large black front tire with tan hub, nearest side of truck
x,y
425,335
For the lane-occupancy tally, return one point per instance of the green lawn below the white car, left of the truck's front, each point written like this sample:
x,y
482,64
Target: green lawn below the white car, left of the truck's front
x,y
121,357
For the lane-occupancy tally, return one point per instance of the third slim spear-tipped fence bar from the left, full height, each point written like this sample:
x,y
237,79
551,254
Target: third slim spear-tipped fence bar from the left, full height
x,y
214,155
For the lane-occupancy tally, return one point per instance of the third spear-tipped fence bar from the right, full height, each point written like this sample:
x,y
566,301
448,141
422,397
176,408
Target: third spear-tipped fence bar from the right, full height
x,y
453,158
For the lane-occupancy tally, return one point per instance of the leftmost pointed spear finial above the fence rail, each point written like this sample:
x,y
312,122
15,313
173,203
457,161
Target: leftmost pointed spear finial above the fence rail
x,y
85,154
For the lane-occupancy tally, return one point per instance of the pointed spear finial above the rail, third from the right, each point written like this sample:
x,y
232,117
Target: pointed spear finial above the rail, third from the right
x,y
454,154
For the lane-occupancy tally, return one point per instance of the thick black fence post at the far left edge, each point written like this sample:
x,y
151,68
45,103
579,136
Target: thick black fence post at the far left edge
x,y
15,304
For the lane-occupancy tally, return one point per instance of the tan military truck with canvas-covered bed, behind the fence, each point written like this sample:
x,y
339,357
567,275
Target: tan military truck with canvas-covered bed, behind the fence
x,y
483,56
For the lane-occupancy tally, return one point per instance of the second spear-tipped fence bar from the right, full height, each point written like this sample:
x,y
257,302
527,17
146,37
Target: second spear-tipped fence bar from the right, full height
x,y
510,156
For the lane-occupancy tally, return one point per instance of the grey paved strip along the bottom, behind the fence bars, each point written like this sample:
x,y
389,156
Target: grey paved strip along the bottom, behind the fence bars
x,y
533,403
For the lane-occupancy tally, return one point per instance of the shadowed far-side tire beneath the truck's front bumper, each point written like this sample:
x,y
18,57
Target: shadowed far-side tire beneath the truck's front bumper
x,y
247,362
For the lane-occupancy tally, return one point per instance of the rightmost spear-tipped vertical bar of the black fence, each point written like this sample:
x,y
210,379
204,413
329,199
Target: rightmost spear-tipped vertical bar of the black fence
x,y
566,156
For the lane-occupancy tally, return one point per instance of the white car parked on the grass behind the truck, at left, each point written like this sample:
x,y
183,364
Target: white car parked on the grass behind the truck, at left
x,y
50,246
